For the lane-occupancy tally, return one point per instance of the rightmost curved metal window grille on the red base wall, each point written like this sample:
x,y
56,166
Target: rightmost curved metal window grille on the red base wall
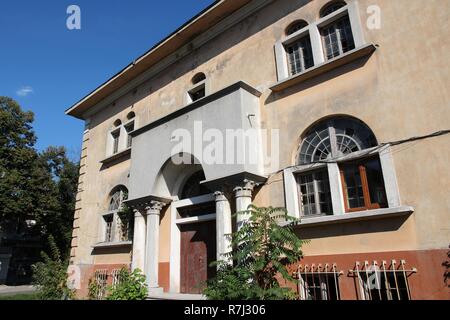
x,y
383,282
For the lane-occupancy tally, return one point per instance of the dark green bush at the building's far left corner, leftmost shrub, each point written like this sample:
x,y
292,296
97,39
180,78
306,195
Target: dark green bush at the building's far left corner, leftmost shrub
x,y
50,275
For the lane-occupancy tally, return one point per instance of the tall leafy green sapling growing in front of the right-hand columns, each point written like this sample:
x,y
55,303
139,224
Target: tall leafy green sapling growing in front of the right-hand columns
x,y
263,250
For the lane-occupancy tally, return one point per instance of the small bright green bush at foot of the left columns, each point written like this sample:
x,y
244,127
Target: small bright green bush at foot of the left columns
x,y
131,286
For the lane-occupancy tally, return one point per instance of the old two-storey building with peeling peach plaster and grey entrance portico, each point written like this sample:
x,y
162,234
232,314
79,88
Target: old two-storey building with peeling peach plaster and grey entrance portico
x,y
341,88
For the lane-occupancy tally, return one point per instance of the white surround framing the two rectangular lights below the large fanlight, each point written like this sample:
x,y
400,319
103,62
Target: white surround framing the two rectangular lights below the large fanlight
x,y
337,196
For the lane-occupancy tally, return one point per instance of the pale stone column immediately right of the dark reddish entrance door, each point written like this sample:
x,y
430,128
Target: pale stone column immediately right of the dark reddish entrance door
x,y
223,226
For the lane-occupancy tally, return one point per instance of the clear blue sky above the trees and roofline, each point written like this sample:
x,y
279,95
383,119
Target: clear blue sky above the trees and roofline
x,y
47,68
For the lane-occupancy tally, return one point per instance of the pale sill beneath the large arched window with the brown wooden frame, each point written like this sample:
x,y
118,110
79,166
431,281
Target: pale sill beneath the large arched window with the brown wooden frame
x,y
356,216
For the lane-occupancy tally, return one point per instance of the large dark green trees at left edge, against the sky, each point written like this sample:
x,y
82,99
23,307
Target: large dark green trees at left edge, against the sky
x,y
34,186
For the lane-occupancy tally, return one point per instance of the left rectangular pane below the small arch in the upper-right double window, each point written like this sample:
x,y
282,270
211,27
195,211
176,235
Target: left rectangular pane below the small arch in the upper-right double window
x,y
300,55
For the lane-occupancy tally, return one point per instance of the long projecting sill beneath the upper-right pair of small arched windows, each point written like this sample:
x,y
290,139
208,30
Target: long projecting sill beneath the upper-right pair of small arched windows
x,y
324,67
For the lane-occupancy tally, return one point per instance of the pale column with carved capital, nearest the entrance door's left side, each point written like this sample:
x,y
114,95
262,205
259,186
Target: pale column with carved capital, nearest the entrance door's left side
x,y
153,212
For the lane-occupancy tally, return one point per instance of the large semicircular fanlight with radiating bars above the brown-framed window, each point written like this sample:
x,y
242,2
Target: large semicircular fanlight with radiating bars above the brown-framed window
x,y
334,138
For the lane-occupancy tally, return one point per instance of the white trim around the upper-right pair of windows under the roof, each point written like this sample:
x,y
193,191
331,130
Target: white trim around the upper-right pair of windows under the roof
x,y
313,29
